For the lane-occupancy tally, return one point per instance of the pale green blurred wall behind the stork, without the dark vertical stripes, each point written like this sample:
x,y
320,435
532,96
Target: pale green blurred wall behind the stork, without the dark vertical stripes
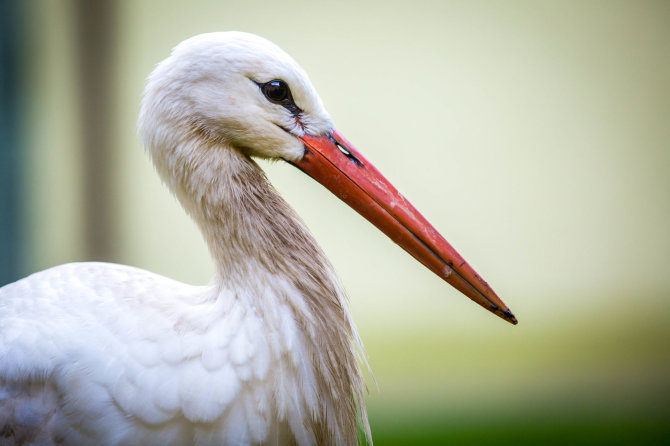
x,y
534,135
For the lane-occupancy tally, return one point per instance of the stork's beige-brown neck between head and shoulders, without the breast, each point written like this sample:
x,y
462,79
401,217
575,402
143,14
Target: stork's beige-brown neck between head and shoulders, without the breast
x,y
246,224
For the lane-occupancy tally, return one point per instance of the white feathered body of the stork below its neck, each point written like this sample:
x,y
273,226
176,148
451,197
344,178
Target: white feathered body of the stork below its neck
x,y
118,355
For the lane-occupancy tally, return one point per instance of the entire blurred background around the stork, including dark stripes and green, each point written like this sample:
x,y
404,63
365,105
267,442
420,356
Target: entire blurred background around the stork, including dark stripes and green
x,y
534,135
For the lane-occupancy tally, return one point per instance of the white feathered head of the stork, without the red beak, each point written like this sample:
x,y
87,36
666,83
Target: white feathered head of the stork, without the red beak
x,y
233,88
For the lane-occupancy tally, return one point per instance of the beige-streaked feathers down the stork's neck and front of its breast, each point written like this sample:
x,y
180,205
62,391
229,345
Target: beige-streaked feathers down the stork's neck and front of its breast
x,y
249,227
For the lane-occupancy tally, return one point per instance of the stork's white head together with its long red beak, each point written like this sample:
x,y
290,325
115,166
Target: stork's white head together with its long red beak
x,y
242,92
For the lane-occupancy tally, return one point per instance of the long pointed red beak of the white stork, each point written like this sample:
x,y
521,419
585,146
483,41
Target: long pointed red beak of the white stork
x,y
332,161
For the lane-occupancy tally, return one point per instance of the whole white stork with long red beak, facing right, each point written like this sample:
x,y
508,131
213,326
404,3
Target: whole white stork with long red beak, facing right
x,y
104,354
